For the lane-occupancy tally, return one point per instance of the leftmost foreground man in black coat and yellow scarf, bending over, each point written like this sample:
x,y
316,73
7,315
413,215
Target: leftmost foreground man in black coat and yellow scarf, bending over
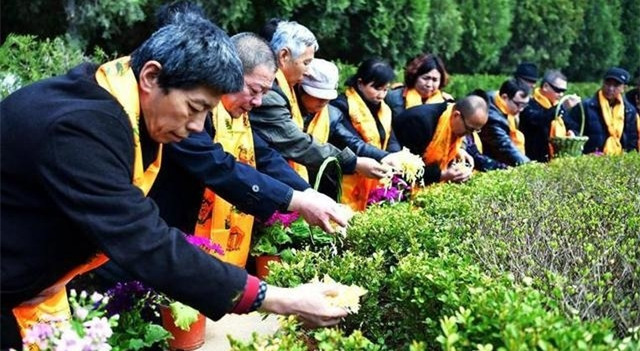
x,y
79,152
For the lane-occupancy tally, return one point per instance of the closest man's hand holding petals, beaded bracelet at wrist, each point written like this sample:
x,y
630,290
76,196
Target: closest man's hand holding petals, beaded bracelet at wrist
x,y
307,301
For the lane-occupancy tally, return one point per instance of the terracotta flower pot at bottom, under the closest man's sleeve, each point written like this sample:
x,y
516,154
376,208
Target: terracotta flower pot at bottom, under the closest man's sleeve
x,y
182,339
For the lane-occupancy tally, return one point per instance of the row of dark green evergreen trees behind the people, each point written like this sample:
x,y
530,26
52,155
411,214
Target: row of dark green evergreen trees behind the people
x,y
581,37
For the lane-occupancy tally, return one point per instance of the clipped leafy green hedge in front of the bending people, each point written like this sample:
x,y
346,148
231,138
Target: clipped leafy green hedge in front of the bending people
x,y
543,256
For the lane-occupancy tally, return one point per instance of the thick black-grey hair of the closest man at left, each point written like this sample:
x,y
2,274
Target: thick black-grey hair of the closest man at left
x,y
193,52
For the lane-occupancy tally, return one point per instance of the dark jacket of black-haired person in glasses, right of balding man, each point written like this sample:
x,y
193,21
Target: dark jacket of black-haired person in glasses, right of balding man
x,y
496,142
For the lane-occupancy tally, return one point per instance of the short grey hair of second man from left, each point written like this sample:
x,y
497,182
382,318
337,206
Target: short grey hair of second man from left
x,y
254,51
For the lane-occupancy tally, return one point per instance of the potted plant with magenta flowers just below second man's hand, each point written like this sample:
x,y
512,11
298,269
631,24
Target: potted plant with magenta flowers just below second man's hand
x,y
276,238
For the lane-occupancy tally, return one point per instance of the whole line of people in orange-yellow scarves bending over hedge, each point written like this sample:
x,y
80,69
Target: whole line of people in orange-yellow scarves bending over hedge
x,y
195,132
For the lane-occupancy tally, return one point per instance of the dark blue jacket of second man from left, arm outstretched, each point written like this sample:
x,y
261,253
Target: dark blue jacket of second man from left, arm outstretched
x,y
196,162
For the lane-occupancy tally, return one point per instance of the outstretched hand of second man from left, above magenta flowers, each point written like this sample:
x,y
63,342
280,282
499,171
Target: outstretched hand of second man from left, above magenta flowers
x,y
319,209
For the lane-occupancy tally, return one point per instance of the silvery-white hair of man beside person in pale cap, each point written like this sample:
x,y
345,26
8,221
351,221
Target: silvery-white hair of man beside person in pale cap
x,y
294,36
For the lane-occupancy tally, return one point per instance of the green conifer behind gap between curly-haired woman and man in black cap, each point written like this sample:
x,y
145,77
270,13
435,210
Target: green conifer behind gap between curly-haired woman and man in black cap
x,y
487,24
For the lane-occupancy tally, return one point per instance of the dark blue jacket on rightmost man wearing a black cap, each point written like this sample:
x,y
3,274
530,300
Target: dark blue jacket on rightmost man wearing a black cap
x,y
596,129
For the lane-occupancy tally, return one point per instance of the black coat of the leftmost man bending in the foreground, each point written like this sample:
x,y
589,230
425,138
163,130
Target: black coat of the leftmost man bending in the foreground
x,y
66,169
